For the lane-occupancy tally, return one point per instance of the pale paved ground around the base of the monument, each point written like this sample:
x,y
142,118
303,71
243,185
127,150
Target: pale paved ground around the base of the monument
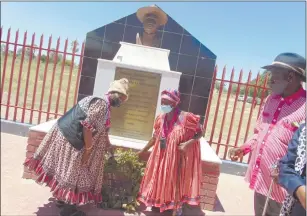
x,y
25,197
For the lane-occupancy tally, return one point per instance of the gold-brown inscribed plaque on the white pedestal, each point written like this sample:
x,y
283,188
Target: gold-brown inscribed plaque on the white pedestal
x,y
135,118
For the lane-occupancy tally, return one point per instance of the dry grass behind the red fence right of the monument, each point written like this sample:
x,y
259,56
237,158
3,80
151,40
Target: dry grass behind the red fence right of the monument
x,y
219,133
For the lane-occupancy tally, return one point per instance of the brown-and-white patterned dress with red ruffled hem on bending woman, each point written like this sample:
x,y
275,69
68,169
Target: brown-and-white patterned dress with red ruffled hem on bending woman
x,y
58,164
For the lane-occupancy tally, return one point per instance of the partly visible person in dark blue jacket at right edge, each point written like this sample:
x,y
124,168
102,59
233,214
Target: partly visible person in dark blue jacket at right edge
x,y
292,175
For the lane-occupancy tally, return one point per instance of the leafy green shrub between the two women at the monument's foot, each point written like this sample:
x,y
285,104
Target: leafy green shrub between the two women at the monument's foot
x,y
127,170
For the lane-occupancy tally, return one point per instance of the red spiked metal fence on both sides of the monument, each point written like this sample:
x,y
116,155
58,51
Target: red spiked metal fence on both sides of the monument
x,y
40,82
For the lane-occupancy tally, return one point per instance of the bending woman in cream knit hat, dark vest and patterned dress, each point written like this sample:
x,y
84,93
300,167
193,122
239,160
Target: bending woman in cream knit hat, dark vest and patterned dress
x,y
74,174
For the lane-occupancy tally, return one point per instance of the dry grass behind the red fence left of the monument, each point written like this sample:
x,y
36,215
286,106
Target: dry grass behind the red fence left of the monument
x,y
39,96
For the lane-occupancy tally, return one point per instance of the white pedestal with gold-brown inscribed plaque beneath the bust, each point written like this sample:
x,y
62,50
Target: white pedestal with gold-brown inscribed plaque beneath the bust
x,y
148,72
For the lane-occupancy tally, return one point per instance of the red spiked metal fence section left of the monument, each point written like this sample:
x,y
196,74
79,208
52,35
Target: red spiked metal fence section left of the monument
x,y
38,82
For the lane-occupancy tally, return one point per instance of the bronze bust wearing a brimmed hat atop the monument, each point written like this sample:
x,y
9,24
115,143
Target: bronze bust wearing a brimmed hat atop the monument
x,y
152,18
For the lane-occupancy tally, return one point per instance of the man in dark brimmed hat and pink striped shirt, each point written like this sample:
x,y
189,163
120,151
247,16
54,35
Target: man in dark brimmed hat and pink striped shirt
x,y
274,129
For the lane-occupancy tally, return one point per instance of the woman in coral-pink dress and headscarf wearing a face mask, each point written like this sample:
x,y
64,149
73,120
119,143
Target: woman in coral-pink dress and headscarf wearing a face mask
x,y
173,171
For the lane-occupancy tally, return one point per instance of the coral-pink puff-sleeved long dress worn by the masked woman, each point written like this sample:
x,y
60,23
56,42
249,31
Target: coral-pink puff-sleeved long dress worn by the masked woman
x,y
172,178
